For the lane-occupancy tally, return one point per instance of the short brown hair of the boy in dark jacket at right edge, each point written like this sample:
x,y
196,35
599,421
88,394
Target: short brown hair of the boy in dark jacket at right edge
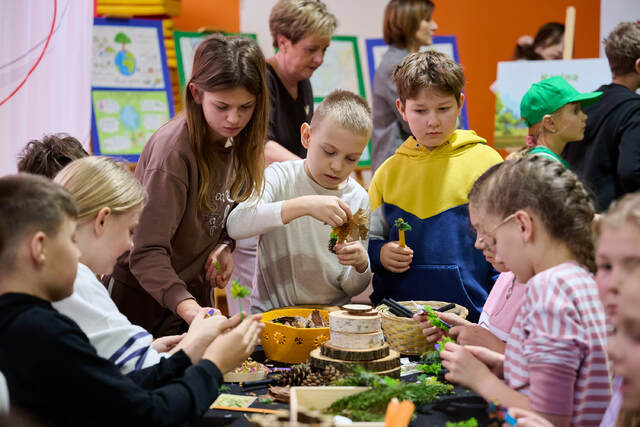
x,y
622,47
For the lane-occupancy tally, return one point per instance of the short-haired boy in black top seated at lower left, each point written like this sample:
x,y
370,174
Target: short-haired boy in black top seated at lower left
x,y
52,371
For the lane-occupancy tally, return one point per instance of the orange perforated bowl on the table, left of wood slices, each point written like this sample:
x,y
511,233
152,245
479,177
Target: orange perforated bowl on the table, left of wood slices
x,y
287,344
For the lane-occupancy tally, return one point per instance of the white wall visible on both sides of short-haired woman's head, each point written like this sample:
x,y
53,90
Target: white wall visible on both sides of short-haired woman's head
x,y
361,18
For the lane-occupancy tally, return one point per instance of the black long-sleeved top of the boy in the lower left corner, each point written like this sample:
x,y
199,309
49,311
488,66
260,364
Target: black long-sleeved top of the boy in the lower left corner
x,y
54,374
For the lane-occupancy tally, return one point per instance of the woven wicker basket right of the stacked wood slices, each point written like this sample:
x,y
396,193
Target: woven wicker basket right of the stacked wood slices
x,y
404,334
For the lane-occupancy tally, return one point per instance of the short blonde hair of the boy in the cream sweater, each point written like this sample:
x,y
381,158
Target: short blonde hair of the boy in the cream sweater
x,y
347,110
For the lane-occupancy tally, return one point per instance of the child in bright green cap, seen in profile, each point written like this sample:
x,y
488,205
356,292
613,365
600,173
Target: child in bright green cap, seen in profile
x,y
552,109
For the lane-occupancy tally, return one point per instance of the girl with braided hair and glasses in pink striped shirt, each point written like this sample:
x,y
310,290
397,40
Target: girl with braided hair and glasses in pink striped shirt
x,y
538,218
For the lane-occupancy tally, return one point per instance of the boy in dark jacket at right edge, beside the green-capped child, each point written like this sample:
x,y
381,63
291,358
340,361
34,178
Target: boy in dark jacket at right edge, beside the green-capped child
x,y
608,158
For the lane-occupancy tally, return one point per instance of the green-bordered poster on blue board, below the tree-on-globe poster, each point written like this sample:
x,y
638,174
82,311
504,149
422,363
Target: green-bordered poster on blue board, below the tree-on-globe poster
x,y
125,120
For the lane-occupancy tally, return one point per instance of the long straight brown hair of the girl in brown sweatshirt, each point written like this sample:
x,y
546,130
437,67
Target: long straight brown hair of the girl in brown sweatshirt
x,y
222,63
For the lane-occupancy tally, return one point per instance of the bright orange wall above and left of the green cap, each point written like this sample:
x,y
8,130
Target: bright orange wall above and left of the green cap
x,y
487,33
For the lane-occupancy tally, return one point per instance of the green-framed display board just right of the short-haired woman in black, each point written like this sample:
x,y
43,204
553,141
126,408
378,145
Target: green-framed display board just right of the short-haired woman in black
x,y
341,69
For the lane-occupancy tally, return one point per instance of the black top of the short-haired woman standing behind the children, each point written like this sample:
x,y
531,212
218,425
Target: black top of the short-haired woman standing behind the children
x,y
286,114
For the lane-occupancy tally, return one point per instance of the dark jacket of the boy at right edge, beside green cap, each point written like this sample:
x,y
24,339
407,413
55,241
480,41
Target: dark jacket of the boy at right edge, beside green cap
x,y
608,158
